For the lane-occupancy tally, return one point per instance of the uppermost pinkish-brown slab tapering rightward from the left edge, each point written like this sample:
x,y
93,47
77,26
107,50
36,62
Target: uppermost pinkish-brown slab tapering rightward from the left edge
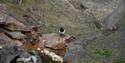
x,y
11,23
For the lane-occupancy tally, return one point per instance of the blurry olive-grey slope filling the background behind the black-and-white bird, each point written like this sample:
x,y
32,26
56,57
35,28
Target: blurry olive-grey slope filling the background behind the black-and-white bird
x,y
97,25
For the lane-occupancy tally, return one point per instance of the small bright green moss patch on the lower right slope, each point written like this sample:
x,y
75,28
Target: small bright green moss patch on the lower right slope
x,y
104,52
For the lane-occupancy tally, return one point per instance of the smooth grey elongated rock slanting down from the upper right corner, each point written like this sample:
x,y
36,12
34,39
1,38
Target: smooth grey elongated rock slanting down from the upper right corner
x,y
111,21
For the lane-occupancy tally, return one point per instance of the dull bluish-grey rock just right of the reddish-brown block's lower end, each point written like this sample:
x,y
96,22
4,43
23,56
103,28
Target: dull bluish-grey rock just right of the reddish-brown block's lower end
x,y
75,52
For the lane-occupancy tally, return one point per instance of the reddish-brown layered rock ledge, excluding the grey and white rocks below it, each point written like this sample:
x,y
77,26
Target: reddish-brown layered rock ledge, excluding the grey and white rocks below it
x,y
13,32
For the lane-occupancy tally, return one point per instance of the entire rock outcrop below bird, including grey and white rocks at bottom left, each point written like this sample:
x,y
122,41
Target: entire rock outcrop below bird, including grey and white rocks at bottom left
x,y
20,43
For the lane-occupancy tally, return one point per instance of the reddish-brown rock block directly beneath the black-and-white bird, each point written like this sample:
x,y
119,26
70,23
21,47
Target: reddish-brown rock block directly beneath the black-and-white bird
x,y
57,43
